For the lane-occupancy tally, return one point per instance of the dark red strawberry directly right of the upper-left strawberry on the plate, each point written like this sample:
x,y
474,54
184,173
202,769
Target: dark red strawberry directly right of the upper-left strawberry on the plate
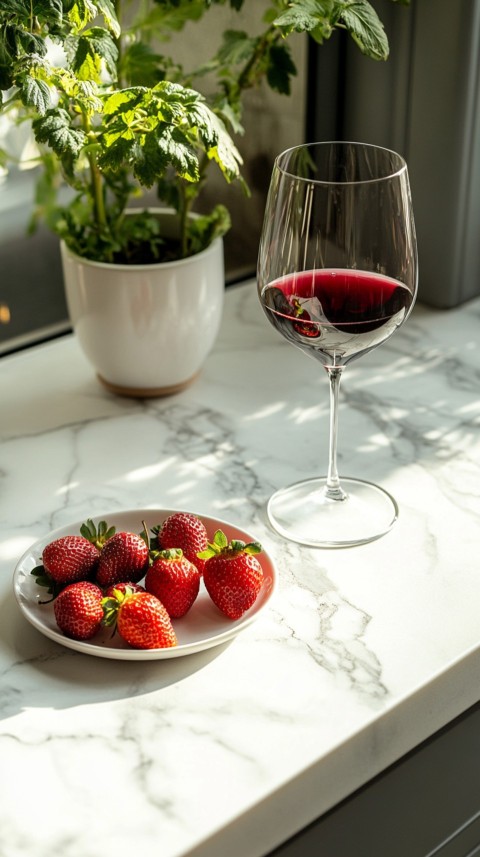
x,y
124,557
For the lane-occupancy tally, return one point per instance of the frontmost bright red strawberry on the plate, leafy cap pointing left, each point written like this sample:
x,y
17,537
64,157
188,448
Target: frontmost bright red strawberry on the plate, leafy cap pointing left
x,y
140,619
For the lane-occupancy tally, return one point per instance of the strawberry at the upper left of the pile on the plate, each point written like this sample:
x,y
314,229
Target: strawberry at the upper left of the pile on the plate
x,y
70,558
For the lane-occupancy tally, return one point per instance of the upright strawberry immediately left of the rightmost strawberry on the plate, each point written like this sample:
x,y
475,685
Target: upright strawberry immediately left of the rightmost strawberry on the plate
x,y
174,580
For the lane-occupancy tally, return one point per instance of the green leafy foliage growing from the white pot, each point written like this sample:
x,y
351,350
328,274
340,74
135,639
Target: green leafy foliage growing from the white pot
x,y
115,116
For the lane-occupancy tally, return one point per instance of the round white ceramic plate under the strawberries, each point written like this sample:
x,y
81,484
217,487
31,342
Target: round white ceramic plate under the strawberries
x,y
203,627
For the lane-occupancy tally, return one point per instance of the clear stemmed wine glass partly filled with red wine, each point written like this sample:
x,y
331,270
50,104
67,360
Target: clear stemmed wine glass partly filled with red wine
x,y
337,276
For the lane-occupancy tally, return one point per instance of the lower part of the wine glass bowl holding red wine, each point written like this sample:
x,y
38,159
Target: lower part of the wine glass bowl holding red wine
x,y
336,315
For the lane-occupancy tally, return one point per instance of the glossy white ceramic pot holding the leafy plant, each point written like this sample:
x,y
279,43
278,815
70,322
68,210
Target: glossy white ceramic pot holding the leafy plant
x,y
146,329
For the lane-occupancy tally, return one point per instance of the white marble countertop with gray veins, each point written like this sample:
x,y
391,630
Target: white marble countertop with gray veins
x,y
362,654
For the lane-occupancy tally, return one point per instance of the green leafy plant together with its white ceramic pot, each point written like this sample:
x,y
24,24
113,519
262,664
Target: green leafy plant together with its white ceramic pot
x,y
115,119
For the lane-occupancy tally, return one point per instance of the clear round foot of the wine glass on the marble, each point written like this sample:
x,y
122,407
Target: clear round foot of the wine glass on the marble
x,y
303,514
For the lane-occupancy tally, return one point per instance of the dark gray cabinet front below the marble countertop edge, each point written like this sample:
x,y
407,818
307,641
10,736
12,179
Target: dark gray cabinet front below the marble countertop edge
x,y
426,805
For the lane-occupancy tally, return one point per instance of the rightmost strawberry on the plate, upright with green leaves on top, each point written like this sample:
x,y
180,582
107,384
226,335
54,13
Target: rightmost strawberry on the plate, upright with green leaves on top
x,y
232,574
